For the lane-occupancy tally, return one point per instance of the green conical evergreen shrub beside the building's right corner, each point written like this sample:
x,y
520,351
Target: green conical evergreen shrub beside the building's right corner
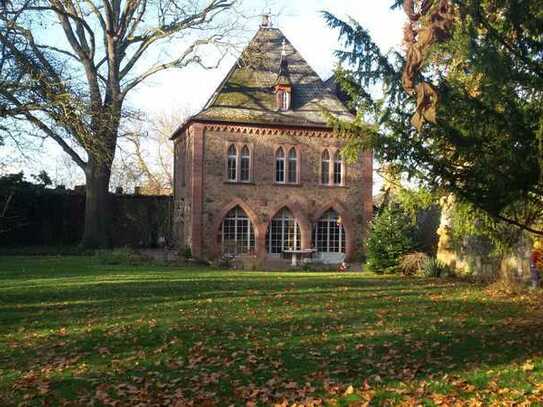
x,y
391,237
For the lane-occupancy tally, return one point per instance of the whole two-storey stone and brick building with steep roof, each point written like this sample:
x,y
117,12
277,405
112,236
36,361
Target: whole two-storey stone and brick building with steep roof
x,y
259,171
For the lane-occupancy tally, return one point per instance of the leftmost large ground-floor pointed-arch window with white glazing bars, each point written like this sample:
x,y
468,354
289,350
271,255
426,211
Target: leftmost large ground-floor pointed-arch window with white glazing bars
x,y
237,234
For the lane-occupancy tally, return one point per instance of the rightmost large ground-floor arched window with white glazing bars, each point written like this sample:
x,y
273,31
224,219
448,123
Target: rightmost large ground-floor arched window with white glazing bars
x,y
329,234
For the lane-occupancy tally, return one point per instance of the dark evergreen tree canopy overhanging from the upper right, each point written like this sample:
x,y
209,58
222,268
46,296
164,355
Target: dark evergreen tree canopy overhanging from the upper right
x,y
475,128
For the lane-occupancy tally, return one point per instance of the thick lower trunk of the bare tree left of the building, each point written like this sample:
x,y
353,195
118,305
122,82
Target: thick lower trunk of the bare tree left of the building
x,y
97,233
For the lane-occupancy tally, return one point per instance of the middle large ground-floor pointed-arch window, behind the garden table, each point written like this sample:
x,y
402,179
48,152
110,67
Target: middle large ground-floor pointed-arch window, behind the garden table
x,y
283,233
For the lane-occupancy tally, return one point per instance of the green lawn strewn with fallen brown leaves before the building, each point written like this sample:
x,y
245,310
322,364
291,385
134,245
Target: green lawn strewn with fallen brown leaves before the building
x,y
74,332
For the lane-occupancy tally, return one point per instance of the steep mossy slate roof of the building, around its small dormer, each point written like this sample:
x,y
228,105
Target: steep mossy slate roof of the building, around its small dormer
x,y
247,95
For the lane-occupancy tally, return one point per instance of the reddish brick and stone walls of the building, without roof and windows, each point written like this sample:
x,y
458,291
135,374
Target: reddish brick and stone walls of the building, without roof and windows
x,y
203,196
